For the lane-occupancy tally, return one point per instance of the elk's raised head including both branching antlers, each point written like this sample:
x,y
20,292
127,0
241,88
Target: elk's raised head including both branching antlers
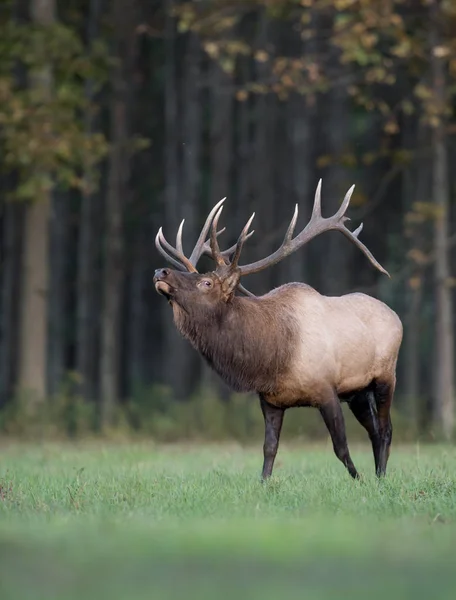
x,y
187,288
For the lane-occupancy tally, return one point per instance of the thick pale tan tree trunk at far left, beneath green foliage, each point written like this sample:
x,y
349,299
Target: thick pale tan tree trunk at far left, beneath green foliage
x,y
35,267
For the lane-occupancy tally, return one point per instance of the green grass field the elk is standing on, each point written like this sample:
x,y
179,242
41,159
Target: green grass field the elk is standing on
x,y
140,521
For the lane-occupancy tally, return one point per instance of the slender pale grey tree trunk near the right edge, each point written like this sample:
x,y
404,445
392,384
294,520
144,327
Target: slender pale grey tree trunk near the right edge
x,y
444,404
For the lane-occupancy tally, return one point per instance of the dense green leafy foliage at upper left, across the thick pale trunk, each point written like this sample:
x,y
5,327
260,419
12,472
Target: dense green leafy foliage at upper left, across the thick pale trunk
x,y
42,135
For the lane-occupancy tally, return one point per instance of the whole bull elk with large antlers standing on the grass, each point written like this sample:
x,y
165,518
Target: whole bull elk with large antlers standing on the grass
x,y
292,346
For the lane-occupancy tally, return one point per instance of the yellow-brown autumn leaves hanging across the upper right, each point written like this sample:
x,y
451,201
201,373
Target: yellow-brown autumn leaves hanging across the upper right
x,y
378,43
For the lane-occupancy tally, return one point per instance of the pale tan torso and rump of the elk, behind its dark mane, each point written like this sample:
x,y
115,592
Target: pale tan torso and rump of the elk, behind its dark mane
x,y
343,343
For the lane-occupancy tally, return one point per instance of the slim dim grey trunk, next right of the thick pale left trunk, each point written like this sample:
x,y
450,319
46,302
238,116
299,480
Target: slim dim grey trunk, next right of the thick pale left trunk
x,y
86,321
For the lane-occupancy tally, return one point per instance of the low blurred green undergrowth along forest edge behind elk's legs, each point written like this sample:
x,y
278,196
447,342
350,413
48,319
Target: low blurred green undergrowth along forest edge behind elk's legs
x,y
152,413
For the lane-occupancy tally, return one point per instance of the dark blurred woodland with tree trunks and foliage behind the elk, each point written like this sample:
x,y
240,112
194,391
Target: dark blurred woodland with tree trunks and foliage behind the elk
x,y
117,117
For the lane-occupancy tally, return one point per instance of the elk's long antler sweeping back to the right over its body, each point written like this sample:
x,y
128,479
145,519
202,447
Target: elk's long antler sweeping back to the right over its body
x,y
316,226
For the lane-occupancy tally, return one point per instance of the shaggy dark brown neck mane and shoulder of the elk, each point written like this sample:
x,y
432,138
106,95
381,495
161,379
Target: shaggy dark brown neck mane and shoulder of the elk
x,y
243,341
